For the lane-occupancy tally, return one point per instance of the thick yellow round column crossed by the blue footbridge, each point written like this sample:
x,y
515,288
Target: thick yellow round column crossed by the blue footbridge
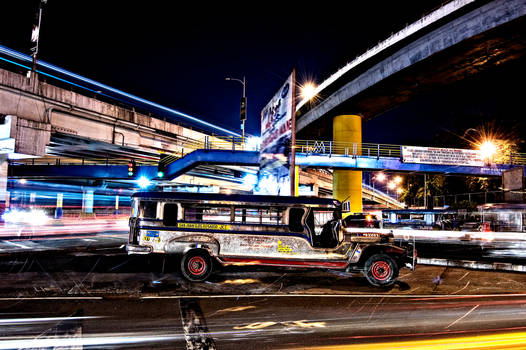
x,y
347,129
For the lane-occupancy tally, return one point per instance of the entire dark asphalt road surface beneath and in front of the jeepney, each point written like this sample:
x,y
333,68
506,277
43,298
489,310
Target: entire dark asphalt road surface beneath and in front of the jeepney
x,y
101,298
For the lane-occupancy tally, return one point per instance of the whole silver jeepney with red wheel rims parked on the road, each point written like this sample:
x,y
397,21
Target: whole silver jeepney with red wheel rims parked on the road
x,y
260,230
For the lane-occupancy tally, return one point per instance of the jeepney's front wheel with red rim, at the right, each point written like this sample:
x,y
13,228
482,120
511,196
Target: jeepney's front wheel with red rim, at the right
x,y
380,270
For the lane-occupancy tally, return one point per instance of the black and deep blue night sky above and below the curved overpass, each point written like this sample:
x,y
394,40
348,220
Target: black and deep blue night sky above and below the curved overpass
x,y
179,55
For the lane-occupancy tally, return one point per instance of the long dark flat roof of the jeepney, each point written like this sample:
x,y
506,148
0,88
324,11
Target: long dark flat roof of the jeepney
x,y
186,196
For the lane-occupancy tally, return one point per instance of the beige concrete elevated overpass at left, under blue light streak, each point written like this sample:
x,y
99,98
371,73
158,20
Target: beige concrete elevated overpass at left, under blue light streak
x,y
49,120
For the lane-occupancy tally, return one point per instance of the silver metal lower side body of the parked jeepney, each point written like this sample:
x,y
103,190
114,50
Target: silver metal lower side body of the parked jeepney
x,y
234,239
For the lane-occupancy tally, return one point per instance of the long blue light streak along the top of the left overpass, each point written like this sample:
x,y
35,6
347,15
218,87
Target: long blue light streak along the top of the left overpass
x,y
26,58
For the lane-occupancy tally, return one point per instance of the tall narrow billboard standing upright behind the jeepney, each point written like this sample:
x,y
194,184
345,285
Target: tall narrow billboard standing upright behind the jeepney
x,y
276,160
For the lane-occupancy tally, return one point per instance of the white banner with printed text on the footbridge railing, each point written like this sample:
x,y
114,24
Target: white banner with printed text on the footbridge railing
x,y
442,156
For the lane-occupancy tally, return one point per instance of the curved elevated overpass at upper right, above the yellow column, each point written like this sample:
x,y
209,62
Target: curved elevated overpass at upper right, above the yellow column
x,y
458,40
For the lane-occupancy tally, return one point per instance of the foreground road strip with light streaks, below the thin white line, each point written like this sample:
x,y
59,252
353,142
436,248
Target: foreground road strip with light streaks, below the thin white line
x,y
266,322
